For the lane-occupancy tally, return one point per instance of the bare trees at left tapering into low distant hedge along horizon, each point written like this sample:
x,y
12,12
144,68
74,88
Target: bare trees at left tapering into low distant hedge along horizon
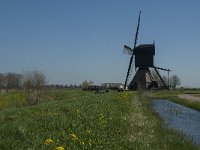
x,y
30,80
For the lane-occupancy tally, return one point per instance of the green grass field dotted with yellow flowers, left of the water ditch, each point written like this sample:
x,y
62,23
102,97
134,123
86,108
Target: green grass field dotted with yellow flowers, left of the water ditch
x,y
84,120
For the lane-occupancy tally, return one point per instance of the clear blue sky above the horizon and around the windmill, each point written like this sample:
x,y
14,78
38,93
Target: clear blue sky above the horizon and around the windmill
x,y
75,40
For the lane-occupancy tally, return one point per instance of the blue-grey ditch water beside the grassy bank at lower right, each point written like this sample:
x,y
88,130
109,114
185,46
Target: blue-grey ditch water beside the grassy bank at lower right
x,y
179,117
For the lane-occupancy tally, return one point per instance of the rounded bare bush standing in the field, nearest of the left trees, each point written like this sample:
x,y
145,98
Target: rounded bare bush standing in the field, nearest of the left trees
x,y
33,82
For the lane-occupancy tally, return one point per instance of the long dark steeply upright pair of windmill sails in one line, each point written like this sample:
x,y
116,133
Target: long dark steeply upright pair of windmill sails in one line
x,y
131,59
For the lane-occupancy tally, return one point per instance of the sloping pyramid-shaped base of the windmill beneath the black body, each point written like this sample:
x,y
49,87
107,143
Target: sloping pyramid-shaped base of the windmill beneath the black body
x,y
143,80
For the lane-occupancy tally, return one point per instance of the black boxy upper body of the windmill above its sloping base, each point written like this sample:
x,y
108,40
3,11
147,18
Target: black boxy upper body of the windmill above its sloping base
x,y
144,55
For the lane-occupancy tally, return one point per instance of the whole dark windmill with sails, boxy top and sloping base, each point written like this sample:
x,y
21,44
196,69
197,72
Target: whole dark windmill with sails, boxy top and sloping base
x,y
143,57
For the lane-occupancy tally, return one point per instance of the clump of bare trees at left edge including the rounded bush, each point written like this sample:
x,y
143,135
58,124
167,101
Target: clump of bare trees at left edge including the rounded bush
x,y
30,81
